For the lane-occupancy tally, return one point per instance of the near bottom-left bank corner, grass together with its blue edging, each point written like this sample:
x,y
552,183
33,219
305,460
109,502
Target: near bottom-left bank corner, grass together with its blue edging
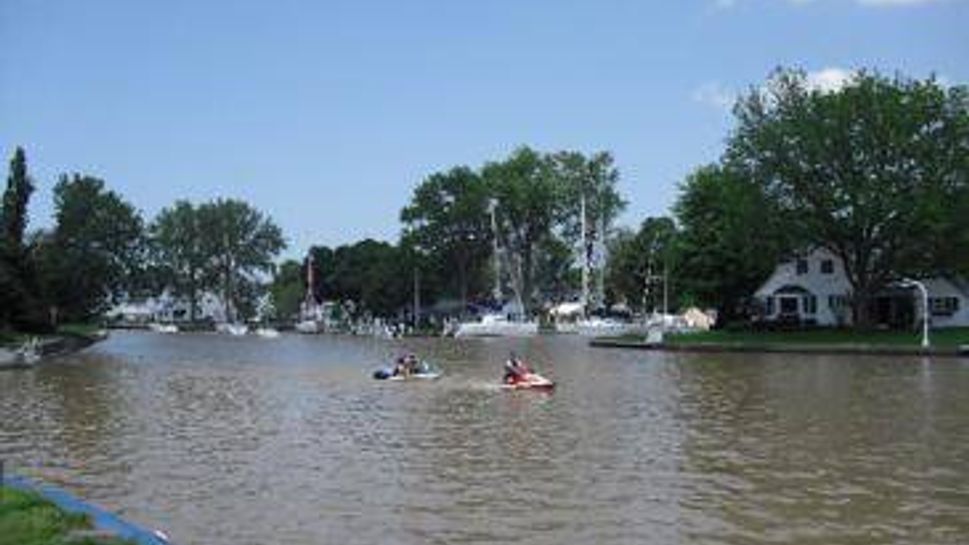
x,y
32,513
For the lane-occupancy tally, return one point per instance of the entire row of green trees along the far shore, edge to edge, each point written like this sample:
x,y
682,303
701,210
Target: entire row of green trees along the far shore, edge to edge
x,y
876,172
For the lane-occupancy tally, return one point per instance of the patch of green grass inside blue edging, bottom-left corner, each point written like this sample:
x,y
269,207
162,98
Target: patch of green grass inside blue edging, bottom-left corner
x,y
28,519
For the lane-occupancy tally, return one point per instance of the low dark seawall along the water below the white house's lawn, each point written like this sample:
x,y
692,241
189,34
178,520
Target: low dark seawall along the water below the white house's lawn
x,y
784,348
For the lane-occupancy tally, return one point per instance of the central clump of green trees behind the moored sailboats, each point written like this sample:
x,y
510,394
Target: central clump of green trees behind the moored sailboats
x,y
528,205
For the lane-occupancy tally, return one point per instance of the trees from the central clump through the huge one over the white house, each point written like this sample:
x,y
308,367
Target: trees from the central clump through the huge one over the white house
x,y
874,171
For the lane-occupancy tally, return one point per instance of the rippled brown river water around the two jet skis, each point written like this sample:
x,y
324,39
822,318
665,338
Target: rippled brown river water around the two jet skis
x,y
221,440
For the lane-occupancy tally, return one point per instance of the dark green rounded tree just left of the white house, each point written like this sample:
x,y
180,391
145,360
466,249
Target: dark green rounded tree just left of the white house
x,y
731,237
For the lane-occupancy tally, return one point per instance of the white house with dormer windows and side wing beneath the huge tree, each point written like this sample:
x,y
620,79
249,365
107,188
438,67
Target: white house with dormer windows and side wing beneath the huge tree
x,y
813,289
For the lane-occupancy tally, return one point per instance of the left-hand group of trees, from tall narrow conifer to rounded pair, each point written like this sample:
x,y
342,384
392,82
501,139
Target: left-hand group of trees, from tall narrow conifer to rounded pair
x,y
101,250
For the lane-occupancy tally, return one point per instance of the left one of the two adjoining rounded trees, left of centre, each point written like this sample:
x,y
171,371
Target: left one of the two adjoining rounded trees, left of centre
x,y
178,243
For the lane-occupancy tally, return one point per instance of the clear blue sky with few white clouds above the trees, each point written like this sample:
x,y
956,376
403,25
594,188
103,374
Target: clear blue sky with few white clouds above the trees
x,y
326,114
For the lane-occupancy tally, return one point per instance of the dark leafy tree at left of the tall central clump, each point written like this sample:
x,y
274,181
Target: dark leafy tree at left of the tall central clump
x,y
447,221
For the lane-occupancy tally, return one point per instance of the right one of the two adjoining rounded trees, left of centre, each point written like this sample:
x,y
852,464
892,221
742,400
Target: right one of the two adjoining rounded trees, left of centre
x,y
240,244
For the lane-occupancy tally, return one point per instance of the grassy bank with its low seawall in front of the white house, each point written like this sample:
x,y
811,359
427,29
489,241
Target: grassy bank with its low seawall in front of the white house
x,y
945,342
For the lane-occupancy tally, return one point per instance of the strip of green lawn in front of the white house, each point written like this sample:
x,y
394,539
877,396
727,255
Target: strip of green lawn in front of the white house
x,y
949,337
